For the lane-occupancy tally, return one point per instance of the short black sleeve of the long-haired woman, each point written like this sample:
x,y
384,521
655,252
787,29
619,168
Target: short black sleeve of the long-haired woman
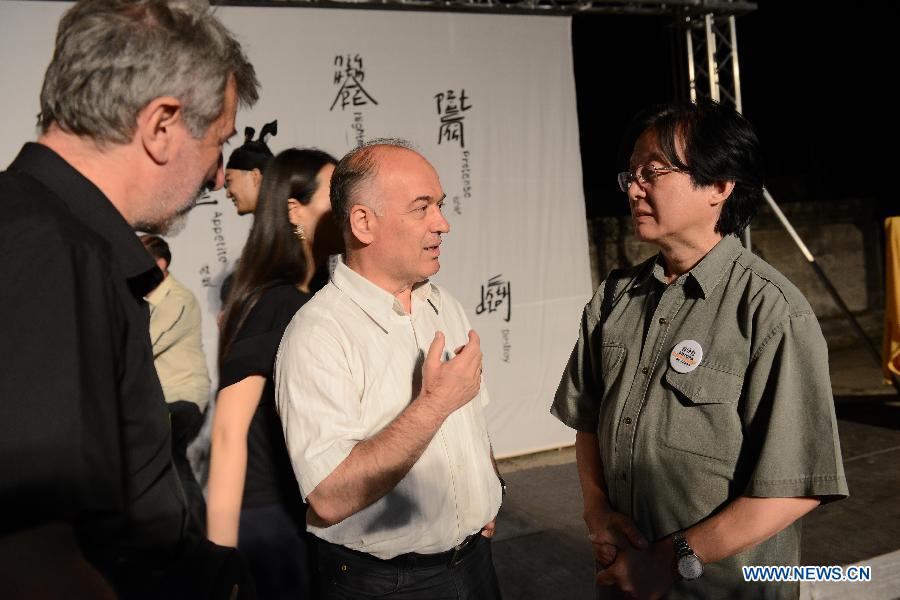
x,y
254,348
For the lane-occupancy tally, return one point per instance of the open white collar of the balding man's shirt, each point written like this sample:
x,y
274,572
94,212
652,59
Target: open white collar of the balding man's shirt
x,y
382,306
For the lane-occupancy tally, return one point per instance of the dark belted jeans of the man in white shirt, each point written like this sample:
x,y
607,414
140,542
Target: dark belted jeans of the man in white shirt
x,y
345,575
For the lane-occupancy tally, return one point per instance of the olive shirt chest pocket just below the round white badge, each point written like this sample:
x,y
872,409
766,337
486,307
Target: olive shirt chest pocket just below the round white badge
x,y
703,414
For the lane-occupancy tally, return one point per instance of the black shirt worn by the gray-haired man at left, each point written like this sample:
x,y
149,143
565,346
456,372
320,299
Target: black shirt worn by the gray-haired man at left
x,y
84,430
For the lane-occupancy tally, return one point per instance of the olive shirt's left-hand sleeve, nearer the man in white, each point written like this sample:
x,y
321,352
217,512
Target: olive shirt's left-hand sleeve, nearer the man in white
x,y
577,400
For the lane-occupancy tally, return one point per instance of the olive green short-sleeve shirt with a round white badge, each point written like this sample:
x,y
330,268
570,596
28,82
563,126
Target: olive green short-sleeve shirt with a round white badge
x,y
755,416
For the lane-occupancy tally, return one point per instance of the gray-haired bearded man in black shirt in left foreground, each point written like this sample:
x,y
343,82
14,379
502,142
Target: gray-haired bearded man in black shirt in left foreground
x,y
136,104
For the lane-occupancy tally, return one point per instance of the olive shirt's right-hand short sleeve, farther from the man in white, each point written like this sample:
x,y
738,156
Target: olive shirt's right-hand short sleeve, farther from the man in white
x,y
789,420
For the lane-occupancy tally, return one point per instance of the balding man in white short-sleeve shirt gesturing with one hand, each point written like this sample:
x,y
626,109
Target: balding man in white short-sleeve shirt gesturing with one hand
x,y
380,396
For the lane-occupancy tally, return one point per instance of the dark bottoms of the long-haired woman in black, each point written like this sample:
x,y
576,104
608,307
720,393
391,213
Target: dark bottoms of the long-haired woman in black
x,y
277,548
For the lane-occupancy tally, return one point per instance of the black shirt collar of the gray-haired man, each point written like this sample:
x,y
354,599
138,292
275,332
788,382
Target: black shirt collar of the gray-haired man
x,y
93,209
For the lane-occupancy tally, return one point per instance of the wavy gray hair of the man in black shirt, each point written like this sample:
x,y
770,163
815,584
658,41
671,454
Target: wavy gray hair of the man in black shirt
x,y
112,57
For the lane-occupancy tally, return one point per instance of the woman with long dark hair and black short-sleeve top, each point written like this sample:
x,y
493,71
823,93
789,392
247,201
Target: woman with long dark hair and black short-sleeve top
x,y
254,501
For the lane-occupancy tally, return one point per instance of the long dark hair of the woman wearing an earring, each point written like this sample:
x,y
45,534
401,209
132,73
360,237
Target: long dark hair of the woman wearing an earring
x,y
272,255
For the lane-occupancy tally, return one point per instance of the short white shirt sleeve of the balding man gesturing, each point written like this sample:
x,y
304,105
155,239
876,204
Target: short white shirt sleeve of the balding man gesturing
x,y
318,402
